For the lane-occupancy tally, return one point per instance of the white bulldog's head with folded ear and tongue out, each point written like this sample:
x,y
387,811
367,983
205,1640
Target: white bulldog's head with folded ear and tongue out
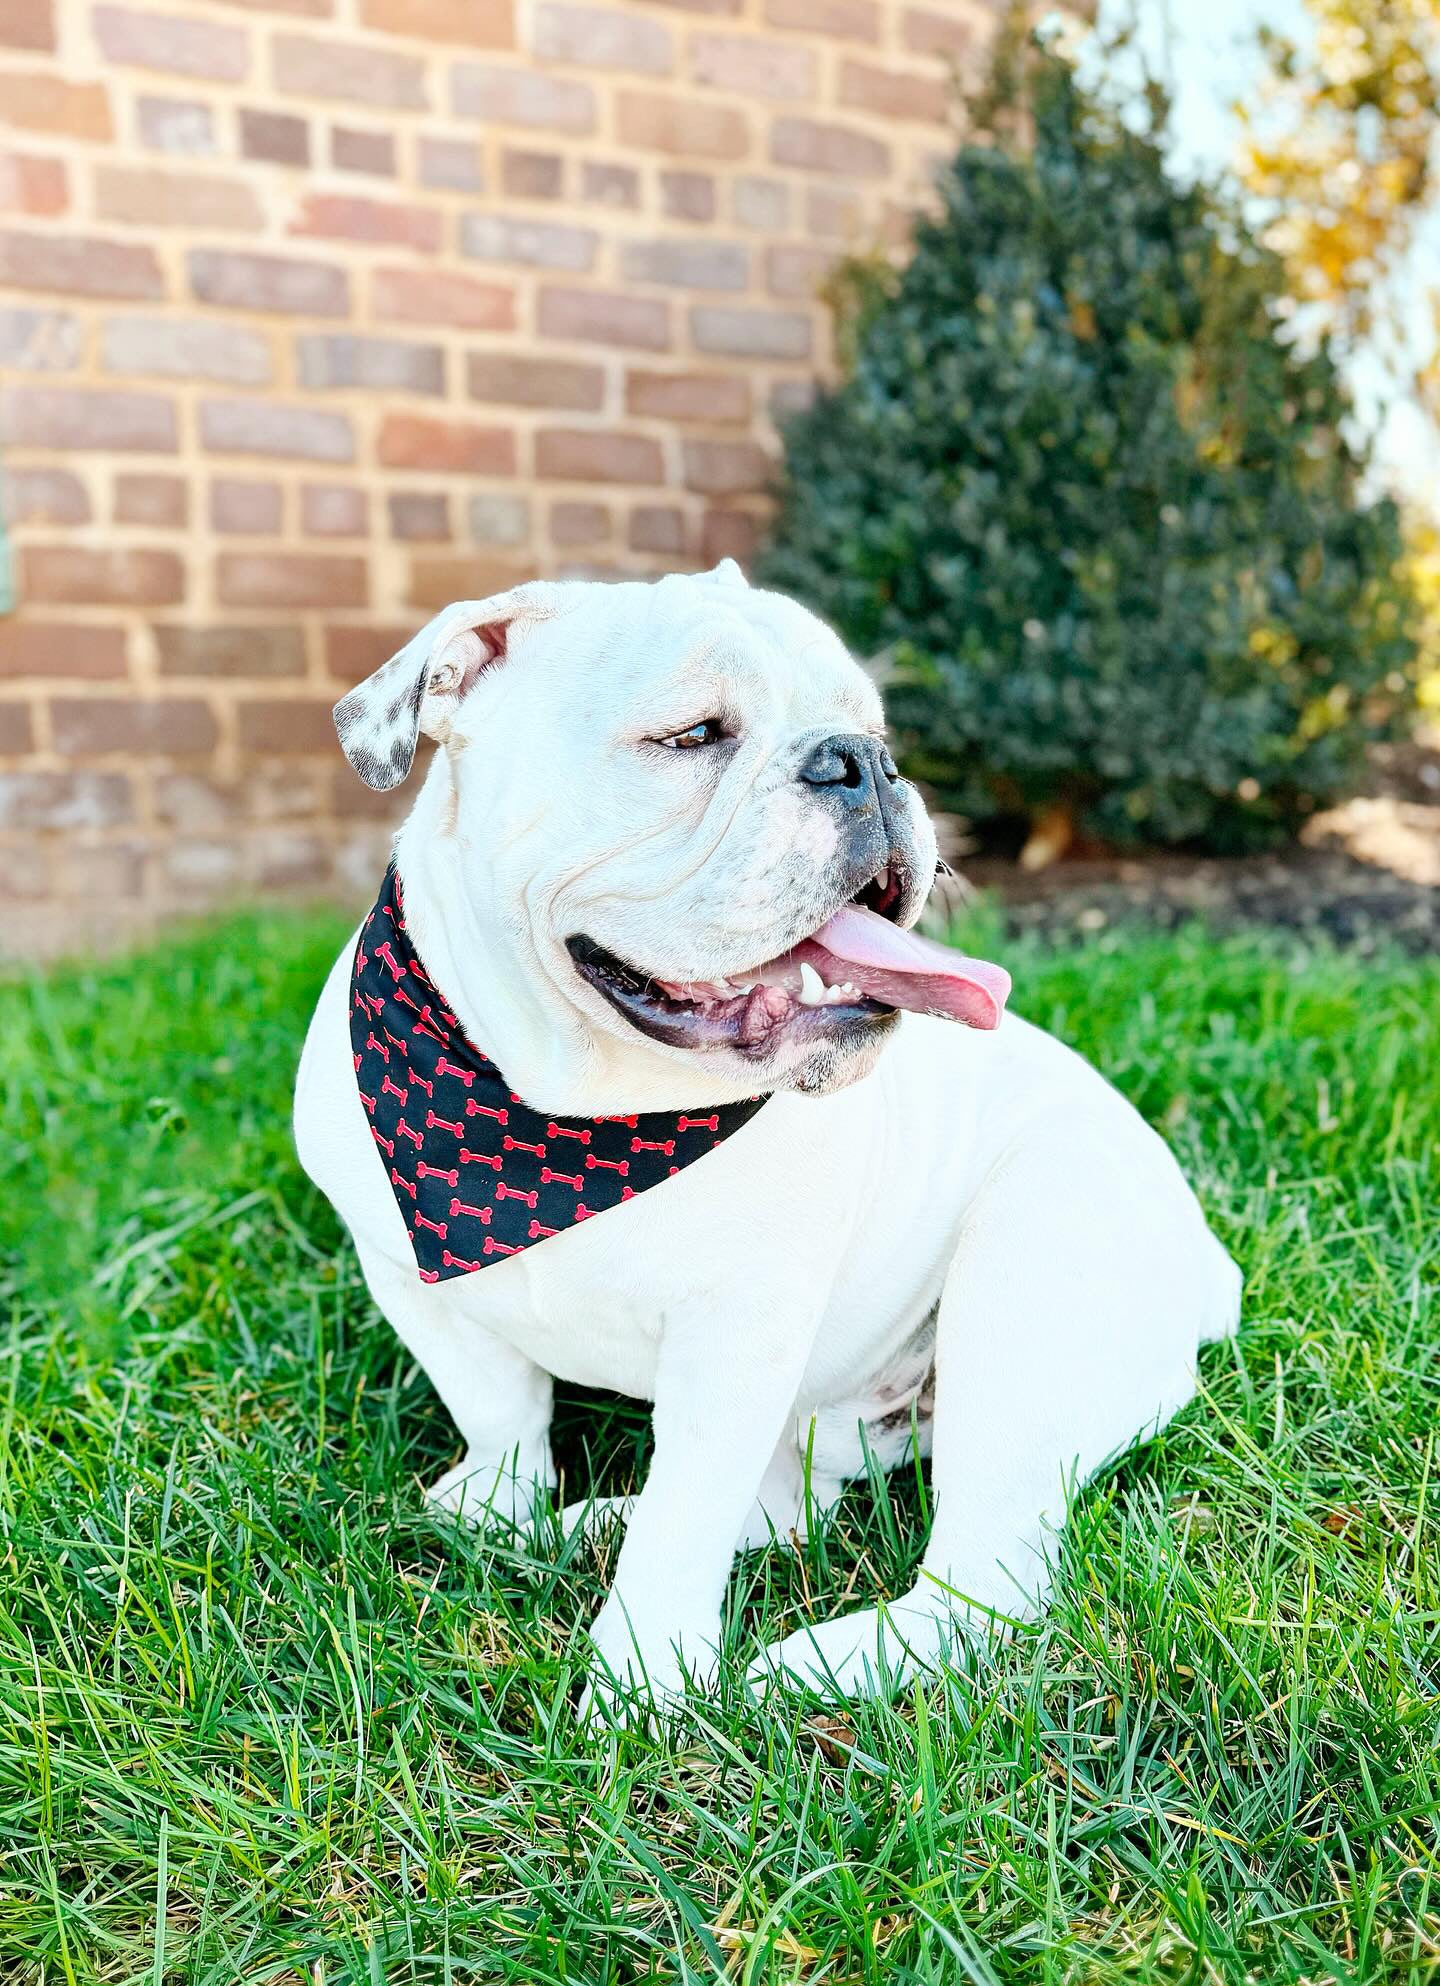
x,y
670,819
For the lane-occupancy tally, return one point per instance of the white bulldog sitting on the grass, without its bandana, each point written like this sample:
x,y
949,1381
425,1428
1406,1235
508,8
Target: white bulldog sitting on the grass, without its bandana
x,y
662,861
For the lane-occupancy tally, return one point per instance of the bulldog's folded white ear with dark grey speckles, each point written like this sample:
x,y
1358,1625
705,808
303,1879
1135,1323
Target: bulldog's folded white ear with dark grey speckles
x,y
422,688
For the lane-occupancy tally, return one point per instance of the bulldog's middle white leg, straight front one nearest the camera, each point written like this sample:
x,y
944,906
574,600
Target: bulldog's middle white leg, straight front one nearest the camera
x,y
724,1393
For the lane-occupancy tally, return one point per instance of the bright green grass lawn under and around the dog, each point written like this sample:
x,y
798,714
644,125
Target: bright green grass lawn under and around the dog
x,y
261,1721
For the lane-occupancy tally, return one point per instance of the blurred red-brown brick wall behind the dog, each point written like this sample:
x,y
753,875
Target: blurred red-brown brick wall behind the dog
x,y
323,313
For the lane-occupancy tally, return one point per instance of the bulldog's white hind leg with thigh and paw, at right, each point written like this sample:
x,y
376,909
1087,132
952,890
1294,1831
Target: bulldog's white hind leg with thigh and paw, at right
x,y
1068,1330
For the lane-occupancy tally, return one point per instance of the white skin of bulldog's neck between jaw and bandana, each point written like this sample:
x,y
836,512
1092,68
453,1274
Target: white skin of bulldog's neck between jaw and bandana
x,y
507,998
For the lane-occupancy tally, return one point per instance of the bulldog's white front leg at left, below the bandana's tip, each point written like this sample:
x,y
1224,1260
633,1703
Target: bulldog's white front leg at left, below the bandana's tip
x,y
496,1395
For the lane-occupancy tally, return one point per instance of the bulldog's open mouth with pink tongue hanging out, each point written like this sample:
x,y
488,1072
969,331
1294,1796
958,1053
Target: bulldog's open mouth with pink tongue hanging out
x,y
855,972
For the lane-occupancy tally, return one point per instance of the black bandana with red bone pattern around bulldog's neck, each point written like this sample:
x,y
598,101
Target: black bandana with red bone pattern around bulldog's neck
x,y
476,1173
